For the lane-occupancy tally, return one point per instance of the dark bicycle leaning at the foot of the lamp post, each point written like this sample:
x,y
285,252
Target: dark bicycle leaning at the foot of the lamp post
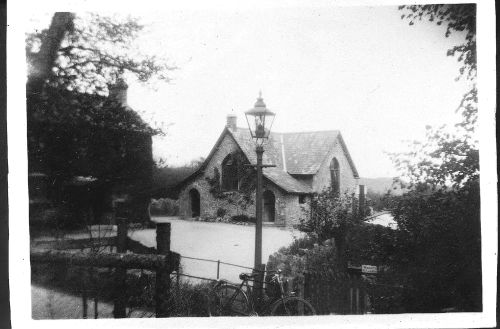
x,y
233,300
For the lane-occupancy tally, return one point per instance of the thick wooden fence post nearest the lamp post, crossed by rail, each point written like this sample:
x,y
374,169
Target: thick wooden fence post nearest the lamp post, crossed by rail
x,y
162,275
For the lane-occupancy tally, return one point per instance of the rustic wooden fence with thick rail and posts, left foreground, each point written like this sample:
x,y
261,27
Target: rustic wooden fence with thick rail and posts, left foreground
x,y
129,254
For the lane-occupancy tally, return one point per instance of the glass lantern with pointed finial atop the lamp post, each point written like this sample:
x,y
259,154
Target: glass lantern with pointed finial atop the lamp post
x,y
260,120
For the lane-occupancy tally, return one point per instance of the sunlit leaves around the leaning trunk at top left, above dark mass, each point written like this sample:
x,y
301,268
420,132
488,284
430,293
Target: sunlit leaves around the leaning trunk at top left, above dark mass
x,y
95,51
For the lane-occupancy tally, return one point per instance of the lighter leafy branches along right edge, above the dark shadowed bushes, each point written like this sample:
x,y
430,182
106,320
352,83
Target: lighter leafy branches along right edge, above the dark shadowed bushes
x,y
447,157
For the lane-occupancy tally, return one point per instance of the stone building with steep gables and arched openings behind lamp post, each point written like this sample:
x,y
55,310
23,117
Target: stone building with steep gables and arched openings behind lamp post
x,y
306,163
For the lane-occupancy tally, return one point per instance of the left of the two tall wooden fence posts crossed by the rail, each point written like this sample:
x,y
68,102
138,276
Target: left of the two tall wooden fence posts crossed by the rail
x,y
120,300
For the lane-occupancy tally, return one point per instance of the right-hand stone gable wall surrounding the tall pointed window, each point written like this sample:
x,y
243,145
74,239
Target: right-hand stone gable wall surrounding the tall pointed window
x,y
348,183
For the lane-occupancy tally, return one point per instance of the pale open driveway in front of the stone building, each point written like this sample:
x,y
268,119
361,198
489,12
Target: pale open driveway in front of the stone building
x,y
219,241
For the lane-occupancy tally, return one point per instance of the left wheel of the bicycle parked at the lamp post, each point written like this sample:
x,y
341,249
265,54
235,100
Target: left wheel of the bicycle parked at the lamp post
x,y
229,300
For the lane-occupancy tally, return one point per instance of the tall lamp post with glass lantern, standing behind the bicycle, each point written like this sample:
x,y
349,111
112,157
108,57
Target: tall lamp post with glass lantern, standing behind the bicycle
x,y
259,118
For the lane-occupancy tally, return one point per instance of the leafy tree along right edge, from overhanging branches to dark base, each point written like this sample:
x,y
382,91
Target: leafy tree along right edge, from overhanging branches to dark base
x,y
437,246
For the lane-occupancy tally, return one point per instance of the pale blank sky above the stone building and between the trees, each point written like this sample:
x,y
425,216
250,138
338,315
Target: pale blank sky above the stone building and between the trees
x,y
361,70
